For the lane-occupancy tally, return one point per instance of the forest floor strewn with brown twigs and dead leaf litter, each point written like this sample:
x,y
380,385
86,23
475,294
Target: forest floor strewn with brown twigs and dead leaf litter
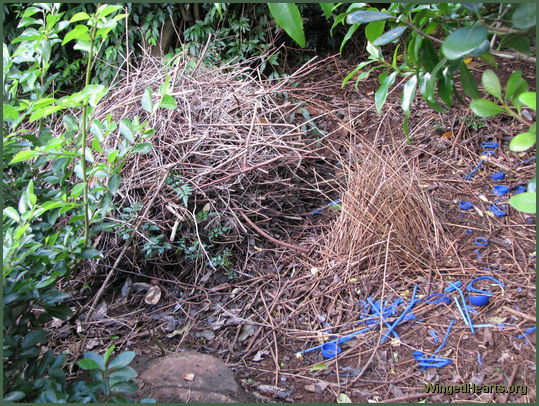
x,y
284,300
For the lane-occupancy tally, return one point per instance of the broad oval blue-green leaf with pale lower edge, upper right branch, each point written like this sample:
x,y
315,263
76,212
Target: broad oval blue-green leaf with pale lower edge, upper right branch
x,y
464,41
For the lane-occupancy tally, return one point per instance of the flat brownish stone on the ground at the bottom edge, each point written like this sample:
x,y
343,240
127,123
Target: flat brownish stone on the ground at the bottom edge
x,y
187,377
